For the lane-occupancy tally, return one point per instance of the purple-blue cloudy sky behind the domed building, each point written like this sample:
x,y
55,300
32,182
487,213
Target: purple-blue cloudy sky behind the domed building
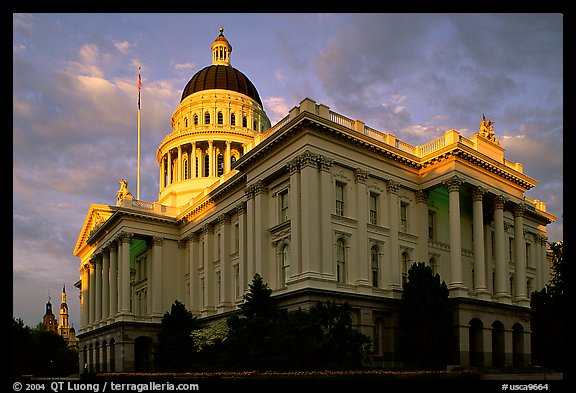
x,y
413,75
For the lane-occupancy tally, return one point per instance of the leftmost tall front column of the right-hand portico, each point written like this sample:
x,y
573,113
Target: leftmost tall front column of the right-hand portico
x,y
453,185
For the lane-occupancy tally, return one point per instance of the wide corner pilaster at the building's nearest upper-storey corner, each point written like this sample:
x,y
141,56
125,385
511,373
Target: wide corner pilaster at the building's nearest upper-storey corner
x,y
310,205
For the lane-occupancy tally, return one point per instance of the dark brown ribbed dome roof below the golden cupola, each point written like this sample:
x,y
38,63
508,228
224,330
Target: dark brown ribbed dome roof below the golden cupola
x,y
221,77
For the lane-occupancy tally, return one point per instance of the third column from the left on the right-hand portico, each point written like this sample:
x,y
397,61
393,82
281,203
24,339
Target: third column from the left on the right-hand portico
x,y
500,269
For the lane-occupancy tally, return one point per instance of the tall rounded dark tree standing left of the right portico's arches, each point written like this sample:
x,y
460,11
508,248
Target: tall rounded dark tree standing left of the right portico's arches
x,y
425,320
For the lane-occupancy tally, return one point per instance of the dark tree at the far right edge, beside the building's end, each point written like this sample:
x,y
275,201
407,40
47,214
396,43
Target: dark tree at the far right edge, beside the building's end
x,y
548,308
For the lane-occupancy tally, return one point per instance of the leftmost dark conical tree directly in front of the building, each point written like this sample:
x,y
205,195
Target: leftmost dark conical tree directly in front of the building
x,y
175,350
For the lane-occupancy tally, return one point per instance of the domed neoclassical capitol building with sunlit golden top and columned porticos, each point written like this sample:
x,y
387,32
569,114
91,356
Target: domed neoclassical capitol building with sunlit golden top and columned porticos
x,y
323,207
